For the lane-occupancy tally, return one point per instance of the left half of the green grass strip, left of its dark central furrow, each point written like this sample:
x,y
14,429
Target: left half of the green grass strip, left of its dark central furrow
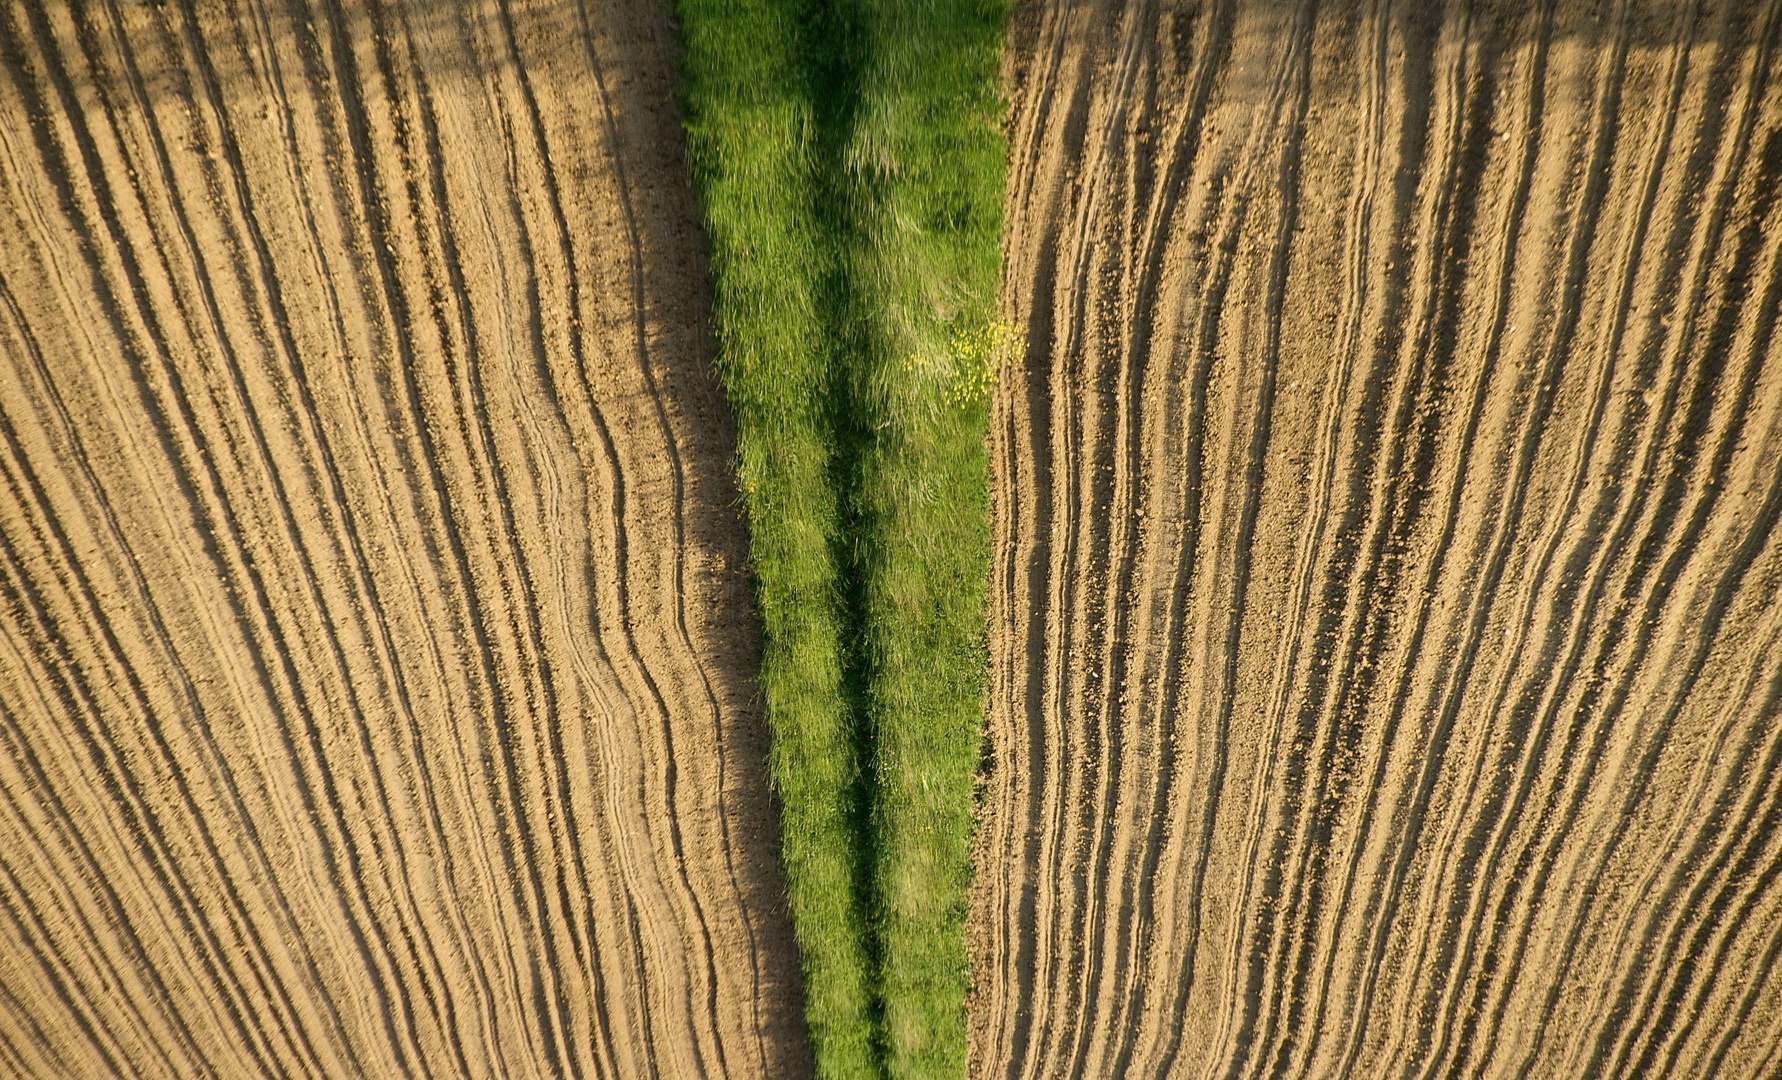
x,y
751,131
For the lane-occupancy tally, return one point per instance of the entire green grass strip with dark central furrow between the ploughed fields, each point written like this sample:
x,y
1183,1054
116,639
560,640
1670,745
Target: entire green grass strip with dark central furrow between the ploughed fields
x,y
849,160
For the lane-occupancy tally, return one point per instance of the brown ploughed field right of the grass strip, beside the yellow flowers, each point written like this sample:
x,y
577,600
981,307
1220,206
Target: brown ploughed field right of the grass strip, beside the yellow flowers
x,y
1386,612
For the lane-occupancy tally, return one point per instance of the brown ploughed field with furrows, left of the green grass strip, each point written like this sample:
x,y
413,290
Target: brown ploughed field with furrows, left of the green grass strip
x,y
375,651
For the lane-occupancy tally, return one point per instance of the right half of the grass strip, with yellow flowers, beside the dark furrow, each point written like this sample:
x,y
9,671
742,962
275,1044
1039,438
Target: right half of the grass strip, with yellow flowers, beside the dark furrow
x,y
924,168
